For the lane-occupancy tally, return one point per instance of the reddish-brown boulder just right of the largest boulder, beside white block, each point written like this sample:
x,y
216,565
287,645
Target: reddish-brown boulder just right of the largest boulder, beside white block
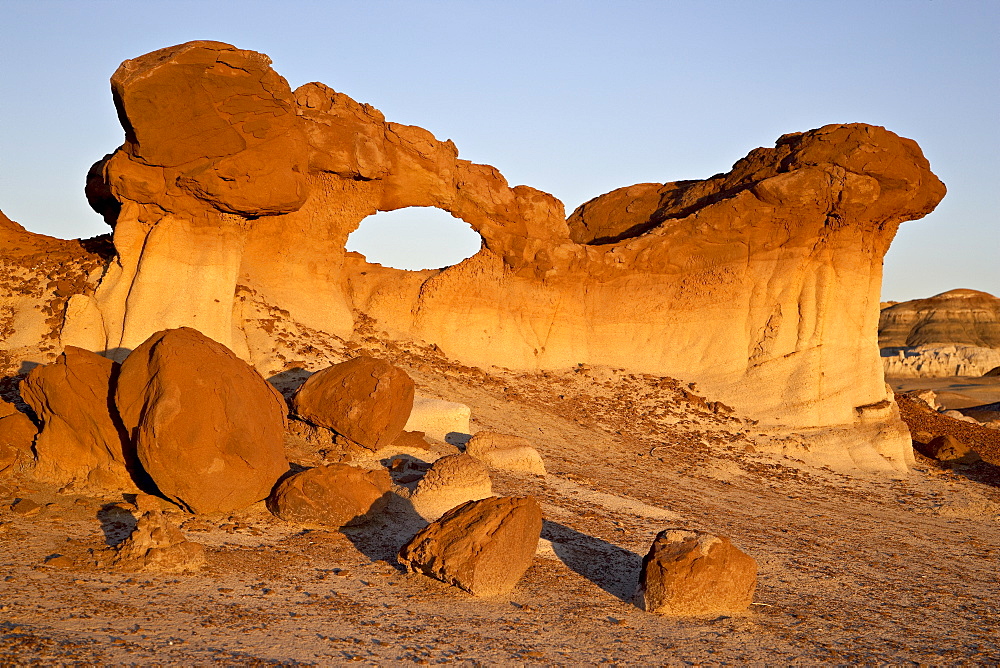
x,y
365,399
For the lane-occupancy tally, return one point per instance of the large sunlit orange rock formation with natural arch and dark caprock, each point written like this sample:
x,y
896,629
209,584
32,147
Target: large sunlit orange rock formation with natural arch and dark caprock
x,y
237,195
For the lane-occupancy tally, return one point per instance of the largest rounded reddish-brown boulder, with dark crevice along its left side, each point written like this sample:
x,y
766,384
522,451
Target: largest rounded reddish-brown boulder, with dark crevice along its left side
x,y
207,428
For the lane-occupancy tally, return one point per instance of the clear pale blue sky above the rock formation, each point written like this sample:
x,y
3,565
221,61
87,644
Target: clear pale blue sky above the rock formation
x,y
575,98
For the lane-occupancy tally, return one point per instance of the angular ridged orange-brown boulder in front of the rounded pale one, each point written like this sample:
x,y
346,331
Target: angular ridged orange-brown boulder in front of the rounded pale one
x,y
483,547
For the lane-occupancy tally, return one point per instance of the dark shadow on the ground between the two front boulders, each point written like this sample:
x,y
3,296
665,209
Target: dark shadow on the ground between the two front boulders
x,y
612,568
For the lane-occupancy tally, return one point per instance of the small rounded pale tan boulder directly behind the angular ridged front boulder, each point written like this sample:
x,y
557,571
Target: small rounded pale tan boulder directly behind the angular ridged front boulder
x,y
449,482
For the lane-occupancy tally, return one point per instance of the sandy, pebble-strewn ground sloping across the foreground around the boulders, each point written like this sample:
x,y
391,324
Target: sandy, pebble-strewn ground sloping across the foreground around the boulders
x,y
853,569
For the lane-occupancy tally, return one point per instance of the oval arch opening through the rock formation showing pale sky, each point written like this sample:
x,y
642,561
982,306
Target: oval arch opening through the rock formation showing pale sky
x,y
415,238
